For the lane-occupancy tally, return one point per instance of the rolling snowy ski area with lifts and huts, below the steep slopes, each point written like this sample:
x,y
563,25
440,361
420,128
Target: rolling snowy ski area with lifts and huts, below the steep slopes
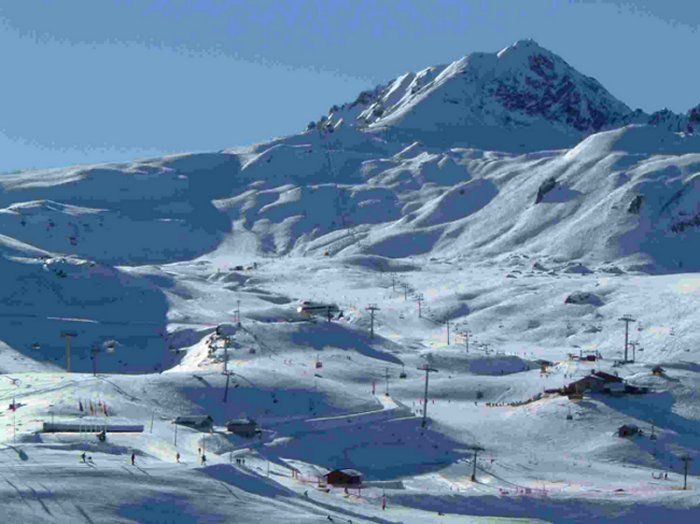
x,y
319,389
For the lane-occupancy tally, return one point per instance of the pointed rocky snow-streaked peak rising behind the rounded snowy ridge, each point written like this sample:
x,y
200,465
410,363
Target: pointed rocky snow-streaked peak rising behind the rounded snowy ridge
x,y
521,98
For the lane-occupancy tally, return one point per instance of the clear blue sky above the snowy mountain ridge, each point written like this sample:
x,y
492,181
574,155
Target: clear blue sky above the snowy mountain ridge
x,y
107,80
